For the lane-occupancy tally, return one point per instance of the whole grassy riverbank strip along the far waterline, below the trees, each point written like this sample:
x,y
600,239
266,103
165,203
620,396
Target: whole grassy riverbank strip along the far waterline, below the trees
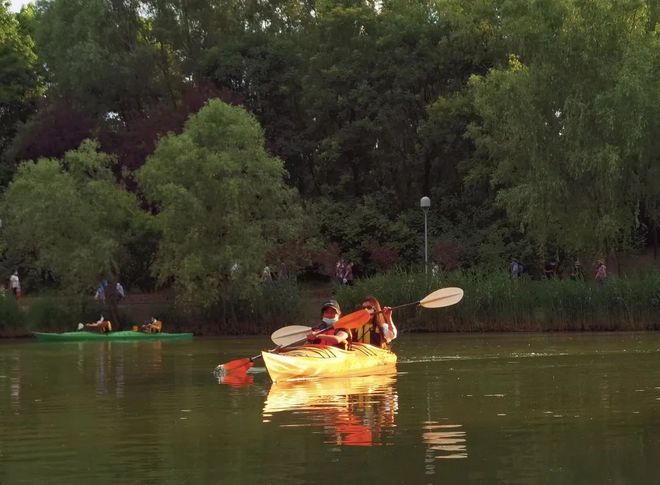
x,y
492,303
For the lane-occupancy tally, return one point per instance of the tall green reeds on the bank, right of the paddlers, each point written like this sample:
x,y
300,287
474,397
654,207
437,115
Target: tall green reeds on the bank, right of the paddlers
x,y
495,302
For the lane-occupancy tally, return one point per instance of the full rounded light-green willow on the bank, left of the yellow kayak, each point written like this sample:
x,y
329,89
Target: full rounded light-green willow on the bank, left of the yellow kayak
x,y
221,203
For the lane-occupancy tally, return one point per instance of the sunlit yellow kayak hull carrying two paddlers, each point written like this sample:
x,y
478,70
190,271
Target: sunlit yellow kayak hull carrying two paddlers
x,y
316,361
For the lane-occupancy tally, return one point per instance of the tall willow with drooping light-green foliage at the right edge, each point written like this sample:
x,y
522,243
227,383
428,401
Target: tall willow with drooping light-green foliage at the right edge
x,y
568,125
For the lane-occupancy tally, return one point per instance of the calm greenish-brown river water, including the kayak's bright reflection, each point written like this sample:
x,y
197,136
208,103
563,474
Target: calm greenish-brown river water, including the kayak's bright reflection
x,y
560,408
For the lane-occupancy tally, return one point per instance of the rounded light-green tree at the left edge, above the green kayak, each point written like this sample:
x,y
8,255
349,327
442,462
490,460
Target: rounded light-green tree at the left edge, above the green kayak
x,y
69,217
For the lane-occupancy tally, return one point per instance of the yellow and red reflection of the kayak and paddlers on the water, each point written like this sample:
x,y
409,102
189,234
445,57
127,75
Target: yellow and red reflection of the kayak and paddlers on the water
x,y
356,411
